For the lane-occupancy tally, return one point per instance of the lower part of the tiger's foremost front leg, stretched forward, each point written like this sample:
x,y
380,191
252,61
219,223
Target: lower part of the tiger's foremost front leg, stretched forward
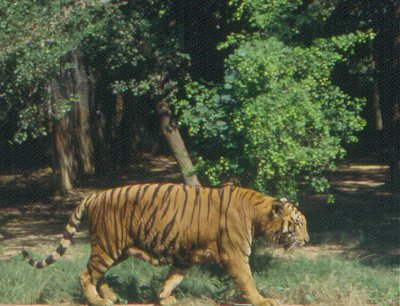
x,y
238,267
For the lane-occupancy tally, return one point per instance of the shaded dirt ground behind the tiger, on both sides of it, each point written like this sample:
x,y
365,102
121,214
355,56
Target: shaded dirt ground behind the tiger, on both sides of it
x,y
363,222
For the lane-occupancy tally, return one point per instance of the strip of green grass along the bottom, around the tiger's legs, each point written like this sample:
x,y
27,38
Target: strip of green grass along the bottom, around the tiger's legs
x,y
323,281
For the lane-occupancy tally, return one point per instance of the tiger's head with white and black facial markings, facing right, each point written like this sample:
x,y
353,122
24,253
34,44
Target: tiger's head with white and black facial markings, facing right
x,y
286,225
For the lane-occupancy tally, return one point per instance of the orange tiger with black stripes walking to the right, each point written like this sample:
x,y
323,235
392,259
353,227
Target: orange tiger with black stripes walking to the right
x,y
181,225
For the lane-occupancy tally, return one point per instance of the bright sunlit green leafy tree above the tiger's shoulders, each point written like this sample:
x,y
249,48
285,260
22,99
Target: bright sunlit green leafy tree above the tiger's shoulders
x,y
278,119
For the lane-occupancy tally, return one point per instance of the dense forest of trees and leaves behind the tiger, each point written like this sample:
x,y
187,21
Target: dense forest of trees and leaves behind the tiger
x,y
268,94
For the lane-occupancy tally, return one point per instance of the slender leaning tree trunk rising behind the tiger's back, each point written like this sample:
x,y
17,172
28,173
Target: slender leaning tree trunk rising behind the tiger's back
x,y
171,133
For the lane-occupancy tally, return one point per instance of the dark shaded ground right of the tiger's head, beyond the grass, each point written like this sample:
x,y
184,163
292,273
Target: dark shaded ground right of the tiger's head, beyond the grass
x,y
363,221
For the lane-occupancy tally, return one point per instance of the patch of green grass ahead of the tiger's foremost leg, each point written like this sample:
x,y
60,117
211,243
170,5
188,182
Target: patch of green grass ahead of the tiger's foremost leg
x,y
327,280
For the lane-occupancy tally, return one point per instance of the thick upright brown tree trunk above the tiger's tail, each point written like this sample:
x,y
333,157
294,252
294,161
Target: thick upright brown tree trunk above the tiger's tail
x,y
72,137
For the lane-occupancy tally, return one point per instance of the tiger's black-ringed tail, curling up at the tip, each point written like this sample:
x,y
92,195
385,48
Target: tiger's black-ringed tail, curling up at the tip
x,y
70,229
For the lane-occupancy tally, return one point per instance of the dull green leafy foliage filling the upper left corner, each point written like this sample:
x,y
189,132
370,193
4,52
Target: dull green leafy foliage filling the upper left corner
x,y
38,36
